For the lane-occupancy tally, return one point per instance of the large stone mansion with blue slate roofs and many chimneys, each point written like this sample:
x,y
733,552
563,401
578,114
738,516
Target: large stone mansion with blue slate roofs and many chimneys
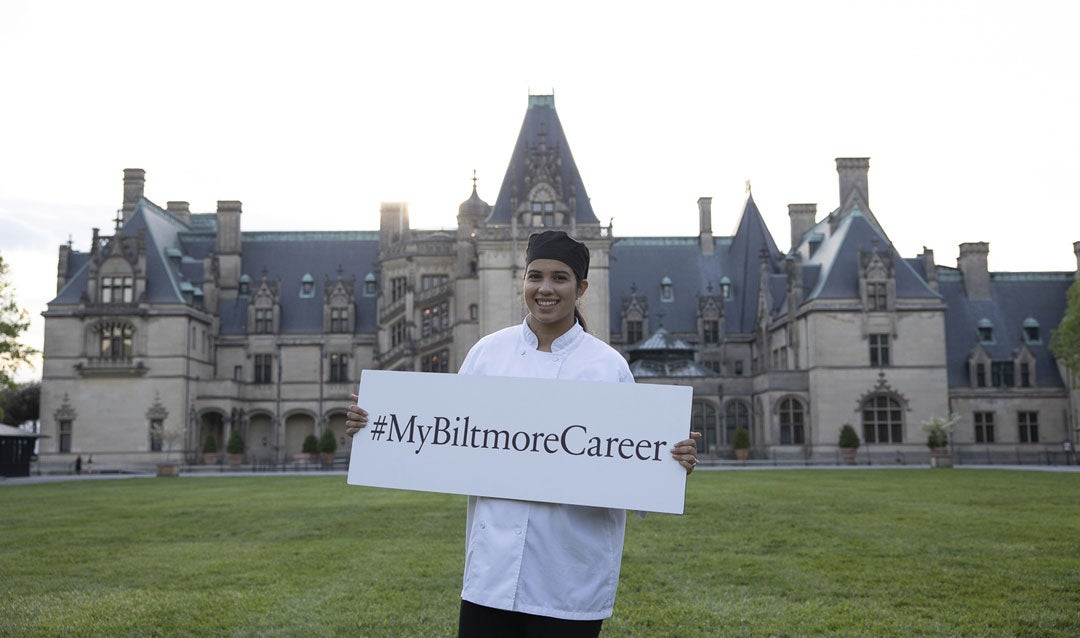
x,y
180,325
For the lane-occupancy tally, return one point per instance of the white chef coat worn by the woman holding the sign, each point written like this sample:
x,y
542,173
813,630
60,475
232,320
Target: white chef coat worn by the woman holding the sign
x,y
544,559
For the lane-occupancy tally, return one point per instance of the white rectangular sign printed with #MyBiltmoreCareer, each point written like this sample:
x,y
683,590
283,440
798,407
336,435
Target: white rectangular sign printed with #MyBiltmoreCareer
x,y
584,443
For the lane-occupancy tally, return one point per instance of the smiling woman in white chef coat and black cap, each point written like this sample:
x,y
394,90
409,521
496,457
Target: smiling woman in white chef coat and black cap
x,y
544,569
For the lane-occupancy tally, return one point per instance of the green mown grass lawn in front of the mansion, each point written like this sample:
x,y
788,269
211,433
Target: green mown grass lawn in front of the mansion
x,y
759,553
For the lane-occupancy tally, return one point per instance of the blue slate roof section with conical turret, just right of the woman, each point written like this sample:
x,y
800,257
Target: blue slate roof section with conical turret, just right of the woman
x,y
645,262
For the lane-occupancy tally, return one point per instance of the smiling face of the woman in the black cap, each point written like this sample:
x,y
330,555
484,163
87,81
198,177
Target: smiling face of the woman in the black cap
x,y
550,293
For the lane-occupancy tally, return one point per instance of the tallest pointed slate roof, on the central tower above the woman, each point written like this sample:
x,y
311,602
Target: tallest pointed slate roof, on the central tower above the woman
x,y
542,127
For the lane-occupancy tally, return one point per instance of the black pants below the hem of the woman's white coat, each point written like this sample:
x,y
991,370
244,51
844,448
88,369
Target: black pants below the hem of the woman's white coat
x,y
477,621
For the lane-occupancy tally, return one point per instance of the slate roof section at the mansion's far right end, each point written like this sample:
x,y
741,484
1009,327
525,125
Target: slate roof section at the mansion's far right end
x,y
1015,298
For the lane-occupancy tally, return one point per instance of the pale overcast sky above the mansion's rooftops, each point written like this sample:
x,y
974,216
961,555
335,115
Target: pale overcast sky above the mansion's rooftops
x,y
313,114
